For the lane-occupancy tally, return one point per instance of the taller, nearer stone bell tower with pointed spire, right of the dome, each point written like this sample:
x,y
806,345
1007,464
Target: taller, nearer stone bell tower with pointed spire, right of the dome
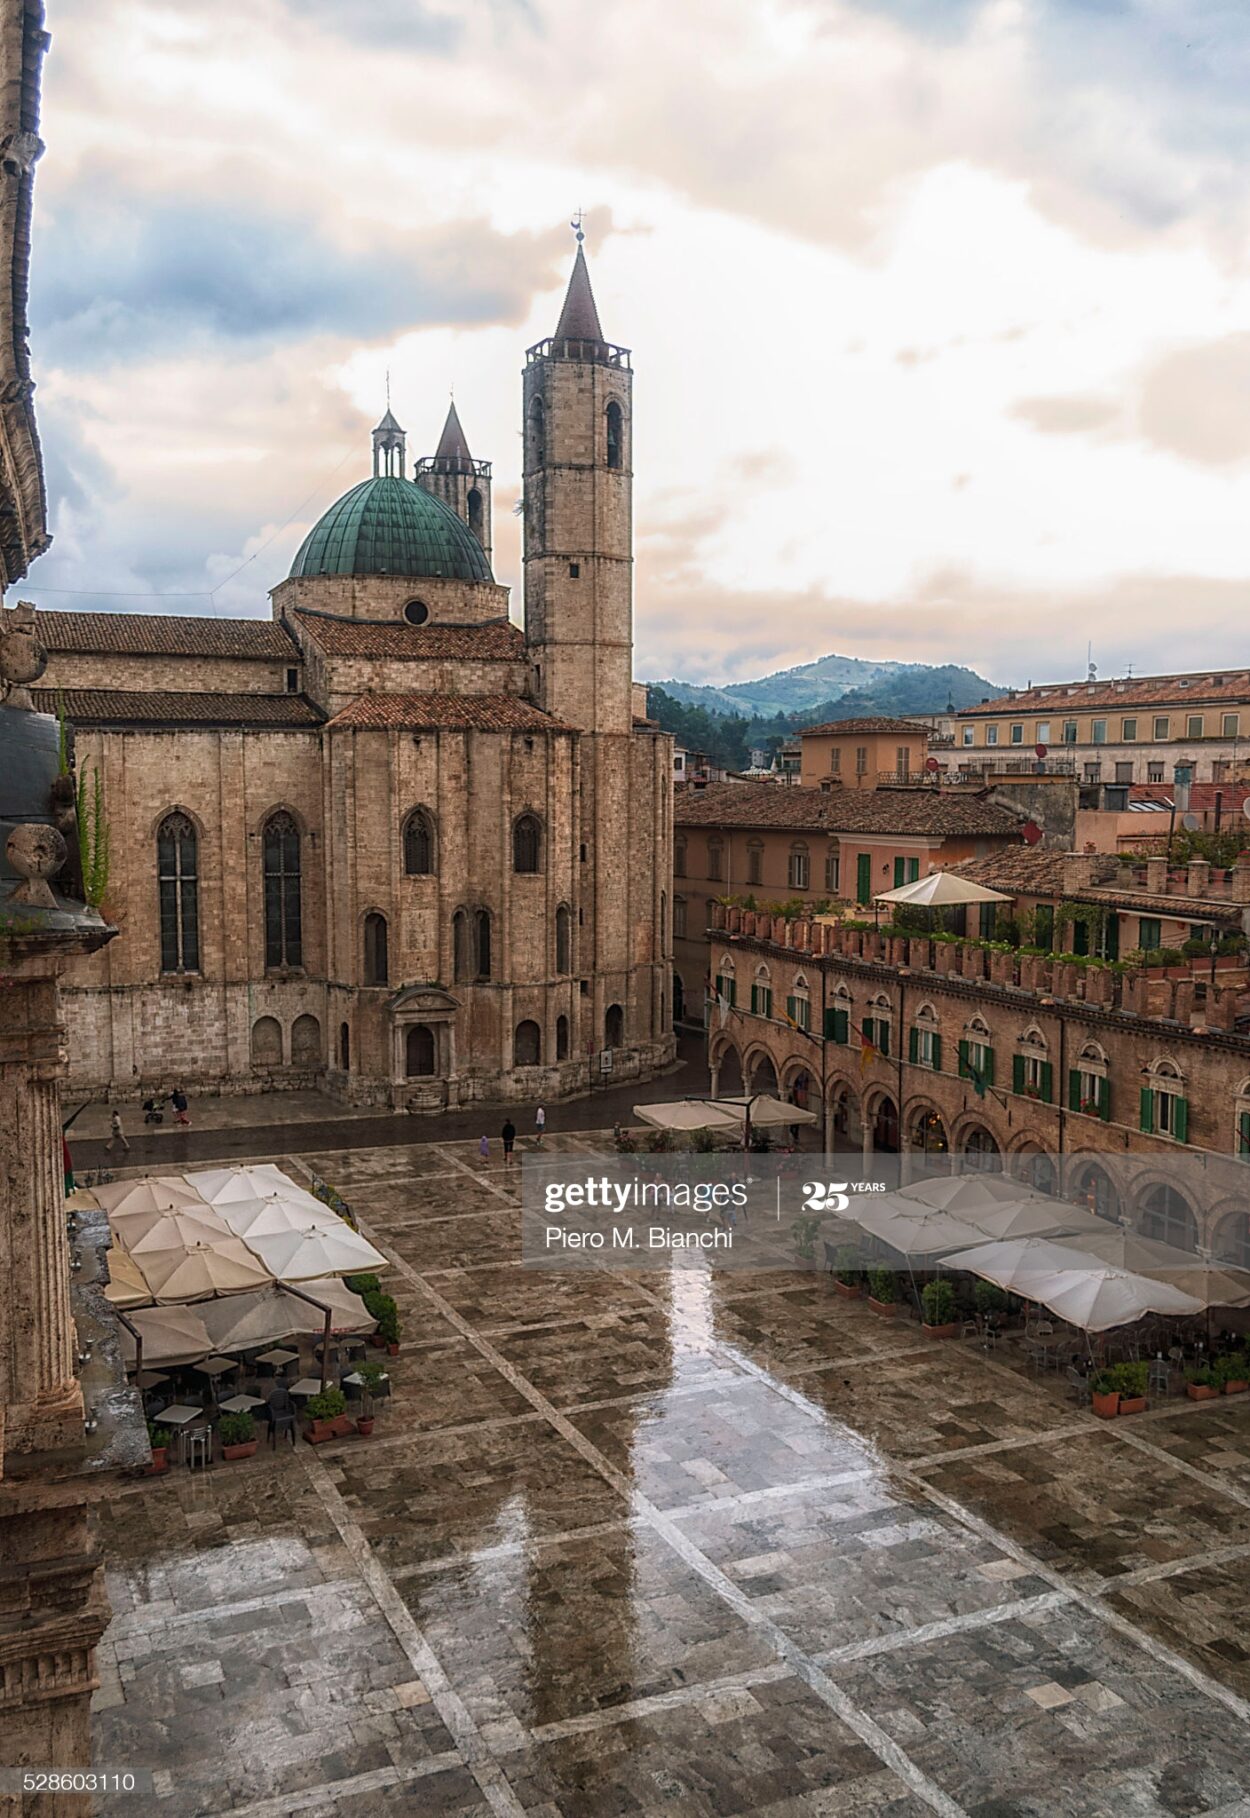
x,y
579,517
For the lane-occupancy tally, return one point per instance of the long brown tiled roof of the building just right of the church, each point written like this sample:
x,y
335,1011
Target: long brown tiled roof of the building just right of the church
x,y
911,812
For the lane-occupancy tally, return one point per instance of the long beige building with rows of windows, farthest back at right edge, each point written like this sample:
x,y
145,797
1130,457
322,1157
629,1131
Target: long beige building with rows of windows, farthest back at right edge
x,y
1135,730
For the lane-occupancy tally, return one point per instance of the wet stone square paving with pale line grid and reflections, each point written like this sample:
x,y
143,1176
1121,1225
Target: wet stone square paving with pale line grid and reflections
x,y
682,1544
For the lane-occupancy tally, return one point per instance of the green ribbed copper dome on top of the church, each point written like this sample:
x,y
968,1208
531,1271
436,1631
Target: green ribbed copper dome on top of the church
x,y
388,526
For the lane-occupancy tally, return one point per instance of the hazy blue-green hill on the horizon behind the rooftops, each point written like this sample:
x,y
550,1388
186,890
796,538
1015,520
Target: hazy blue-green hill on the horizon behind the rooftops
x,y
851,684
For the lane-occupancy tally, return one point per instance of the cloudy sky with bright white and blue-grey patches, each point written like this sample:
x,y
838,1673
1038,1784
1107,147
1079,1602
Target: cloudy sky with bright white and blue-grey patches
x,y
940,308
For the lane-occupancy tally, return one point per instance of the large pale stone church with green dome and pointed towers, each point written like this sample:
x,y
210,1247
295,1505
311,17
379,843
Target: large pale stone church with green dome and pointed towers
x,y
388,843
